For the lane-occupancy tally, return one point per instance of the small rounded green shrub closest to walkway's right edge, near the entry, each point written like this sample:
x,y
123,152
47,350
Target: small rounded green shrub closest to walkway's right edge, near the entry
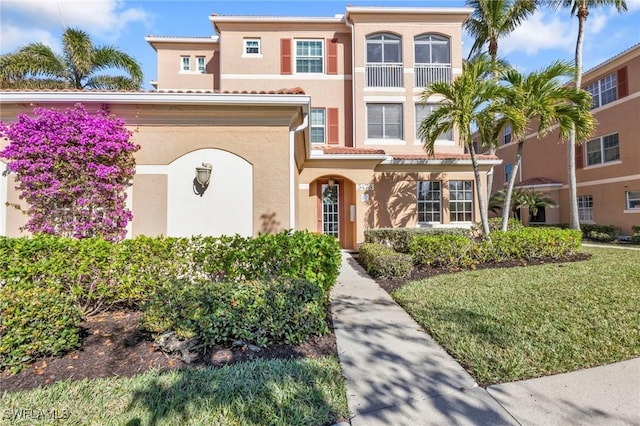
x,y
382,261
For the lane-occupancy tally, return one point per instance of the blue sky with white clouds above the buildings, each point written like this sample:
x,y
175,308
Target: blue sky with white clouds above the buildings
x,y
547,36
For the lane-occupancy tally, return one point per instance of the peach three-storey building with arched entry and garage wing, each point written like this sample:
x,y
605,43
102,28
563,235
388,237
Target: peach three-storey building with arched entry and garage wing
x,y
341,158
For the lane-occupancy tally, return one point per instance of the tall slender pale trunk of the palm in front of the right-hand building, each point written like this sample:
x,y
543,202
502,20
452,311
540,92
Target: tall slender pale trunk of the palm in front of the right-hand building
x,y
574,222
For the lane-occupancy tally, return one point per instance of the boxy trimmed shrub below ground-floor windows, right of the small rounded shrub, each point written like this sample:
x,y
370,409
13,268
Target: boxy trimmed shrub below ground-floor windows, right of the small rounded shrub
x,y
444,251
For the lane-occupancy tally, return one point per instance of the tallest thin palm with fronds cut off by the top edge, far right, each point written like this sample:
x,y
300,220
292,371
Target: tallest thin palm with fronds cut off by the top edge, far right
x,y
580,8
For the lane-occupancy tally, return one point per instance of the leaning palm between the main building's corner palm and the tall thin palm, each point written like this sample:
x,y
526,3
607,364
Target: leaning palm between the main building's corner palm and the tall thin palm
x,y
543,96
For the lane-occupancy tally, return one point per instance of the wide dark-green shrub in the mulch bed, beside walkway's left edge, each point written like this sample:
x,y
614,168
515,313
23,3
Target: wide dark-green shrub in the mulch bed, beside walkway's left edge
x,y
284,310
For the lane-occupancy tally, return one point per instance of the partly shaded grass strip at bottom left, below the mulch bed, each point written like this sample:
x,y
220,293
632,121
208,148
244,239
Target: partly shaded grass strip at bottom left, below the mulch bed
x,y
298,392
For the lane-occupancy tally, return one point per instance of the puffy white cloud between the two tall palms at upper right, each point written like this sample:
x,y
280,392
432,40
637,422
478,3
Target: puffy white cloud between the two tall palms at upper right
x,y
542,31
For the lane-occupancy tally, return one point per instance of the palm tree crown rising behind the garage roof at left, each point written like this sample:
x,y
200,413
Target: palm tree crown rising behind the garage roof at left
x,y
36,66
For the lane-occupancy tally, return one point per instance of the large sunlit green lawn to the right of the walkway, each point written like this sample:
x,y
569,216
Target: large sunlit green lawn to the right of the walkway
x,y
516,323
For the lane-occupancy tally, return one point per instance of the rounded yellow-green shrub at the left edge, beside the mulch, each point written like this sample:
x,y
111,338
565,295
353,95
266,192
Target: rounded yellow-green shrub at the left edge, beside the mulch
x,y
36,321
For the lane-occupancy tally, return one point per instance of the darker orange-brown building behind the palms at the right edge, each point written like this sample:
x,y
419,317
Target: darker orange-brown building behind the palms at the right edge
x,y
607,164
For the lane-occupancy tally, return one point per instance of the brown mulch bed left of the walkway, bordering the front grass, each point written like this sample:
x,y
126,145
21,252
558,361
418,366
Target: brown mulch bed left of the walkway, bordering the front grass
x,y
114,344
